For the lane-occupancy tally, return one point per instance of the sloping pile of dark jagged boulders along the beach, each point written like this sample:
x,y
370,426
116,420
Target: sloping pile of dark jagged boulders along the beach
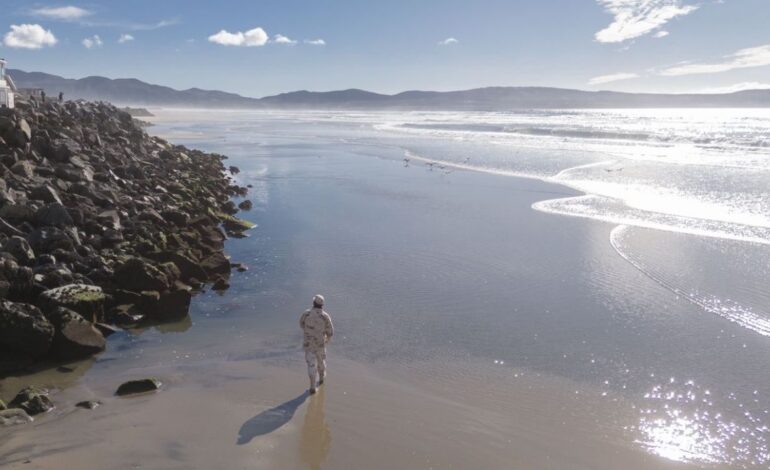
x,y
101,225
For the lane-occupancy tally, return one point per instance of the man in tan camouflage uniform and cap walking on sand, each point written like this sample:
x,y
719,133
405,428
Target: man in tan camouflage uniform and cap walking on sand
x,y
317,330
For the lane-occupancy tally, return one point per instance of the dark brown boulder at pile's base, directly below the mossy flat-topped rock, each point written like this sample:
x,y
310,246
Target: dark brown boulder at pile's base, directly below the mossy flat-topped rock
x,y
75,337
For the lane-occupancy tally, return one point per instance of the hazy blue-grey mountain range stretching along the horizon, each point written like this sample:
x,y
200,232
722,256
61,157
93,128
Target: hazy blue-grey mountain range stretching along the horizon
x,y
130,91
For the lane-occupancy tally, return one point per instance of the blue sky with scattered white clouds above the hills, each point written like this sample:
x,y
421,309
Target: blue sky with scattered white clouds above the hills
x,y
263,47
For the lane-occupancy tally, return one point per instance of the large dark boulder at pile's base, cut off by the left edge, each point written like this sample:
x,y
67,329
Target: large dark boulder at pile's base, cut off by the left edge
x,y
24,329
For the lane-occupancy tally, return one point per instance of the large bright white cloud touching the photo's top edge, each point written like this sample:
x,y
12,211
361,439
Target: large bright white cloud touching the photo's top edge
x,y
635,18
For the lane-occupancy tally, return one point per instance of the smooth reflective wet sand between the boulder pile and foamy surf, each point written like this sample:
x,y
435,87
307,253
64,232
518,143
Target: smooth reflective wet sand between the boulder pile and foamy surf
x,y
472,332
